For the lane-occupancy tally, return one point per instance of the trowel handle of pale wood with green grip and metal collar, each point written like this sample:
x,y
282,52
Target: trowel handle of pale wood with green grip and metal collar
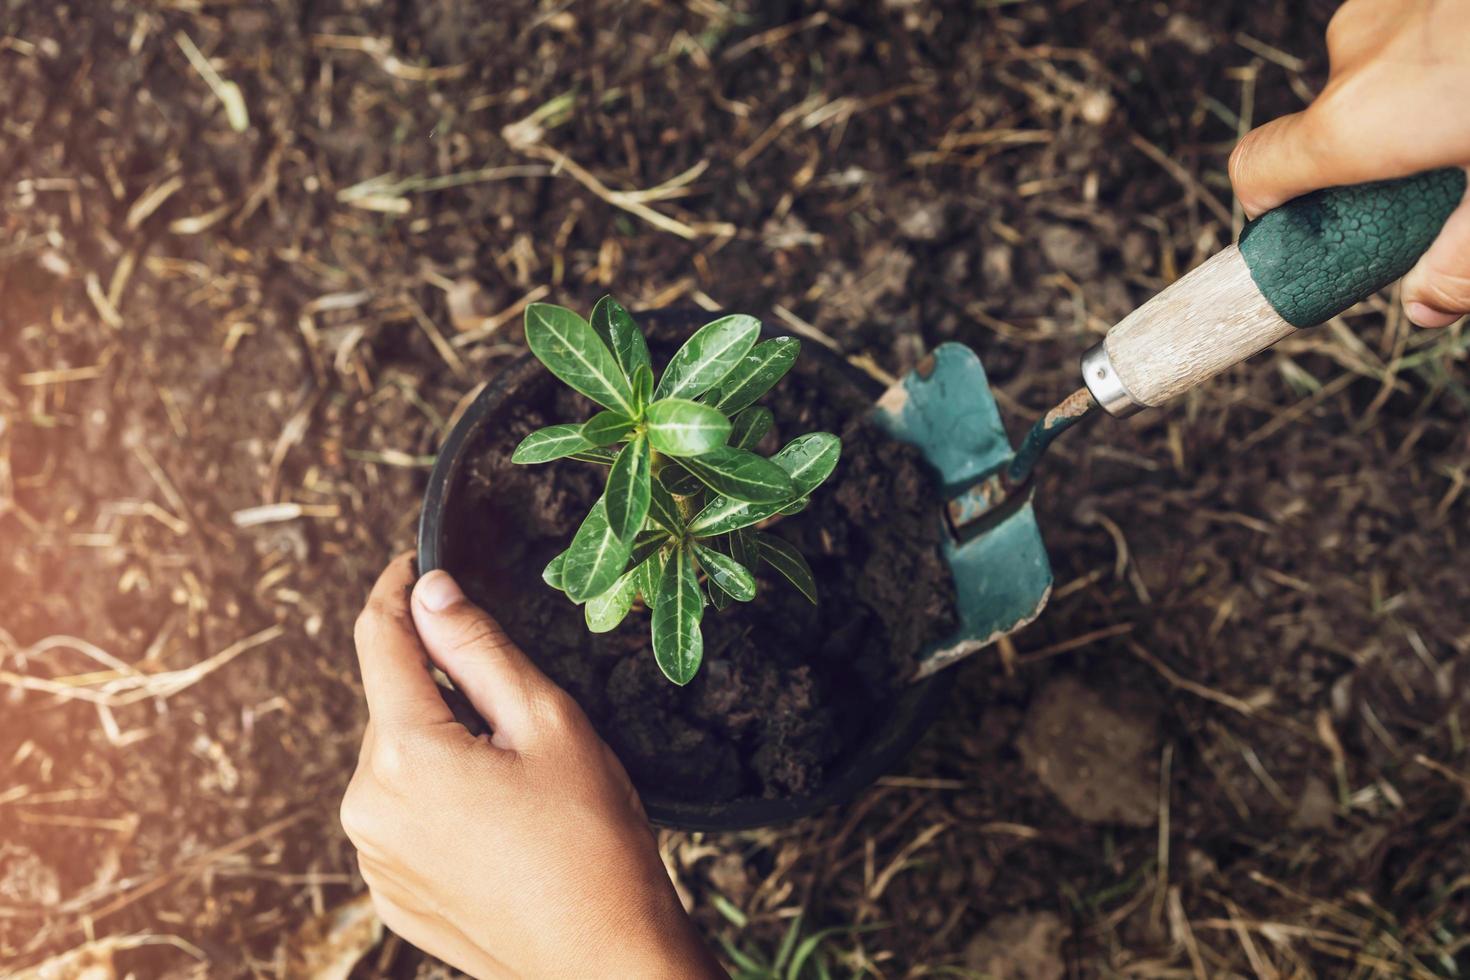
x,y
1296,267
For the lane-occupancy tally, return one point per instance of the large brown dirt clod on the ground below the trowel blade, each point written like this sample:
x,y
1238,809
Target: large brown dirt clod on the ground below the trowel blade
x,y
1096,756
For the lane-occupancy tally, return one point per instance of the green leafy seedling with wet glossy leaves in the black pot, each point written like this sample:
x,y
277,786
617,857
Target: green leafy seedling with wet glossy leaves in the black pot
x,y
677,524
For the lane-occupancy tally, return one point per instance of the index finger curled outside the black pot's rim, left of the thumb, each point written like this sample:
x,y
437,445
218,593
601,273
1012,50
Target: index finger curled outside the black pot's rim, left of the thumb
x,y
396,671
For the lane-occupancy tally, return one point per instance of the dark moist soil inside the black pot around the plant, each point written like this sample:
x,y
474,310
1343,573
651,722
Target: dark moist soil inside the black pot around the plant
x,y
789,691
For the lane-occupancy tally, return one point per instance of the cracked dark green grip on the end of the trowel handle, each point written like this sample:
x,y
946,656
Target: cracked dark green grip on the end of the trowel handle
x,y
1319,255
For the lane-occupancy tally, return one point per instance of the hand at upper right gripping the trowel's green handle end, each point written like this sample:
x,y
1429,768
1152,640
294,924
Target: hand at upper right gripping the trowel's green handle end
x,y
1391,108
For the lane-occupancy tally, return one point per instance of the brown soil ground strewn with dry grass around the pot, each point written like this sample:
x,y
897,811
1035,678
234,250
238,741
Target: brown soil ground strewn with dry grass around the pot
x,y
1236,744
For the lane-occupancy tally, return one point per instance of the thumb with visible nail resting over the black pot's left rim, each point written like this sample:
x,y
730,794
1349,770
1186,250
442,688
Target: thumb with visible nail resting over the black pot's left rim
x,y
496,677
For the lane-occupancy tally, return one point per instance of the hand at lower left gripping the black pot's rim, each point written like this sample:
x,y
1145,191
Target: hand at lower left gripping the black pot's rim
x,y
523,854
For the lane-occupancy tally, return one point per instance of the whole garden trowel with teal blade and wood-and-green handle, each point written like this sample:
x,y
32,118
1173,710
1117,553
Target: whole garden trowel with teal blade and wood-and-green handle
x,y
1293,268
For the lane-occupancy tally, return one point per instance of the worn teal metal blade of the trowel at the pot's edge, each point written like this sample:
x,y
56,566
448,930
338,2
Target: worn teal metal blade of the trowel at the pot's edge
x,y
1002,577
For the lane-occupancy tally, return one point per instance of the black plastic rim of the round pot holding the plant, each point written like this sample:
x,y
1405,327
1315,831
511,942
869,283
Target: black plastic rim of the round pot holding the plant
x,y
892,737
